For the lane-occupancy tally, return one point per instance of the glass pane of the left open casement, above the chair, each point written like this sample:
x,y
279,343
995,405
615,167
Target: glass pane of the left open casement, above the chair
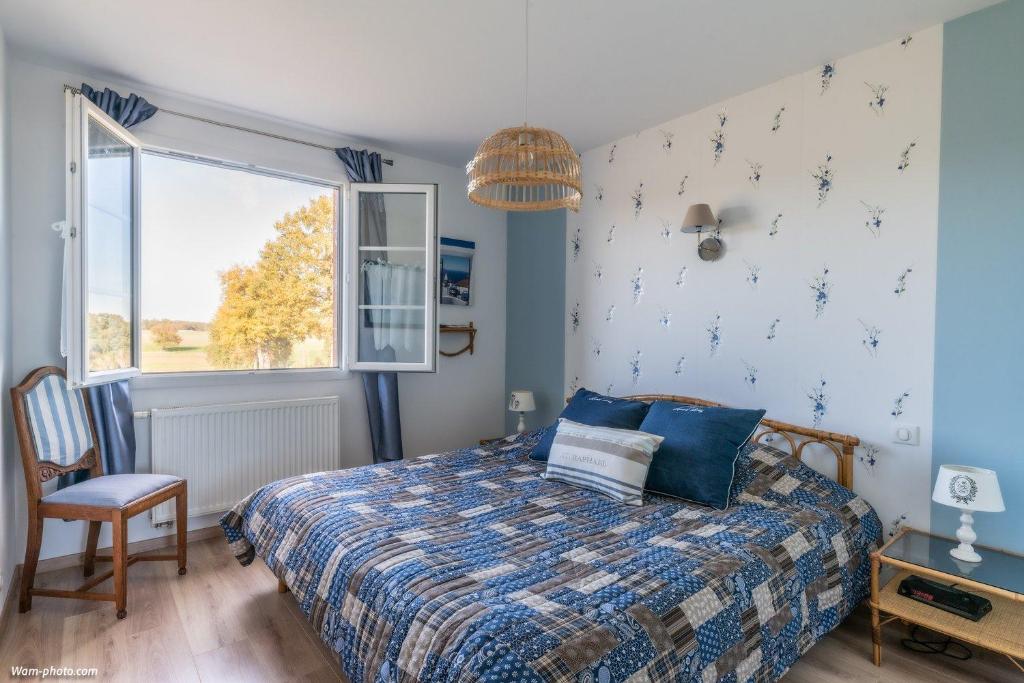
x,y
109,250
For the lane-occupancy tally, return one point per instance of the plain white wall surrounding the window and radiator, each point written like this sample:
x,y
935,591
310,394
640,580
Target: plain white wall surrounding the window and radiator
x,y
459,405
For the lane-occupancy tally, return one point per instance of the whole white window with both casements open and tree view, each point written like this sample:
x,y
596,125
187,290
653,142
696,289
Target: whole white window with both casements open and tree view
x,y
179,265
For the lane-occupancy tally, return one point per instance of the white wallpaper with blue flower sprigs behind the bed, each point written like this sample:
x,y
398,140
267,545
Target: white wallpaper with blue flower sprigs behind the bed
x,y
863,269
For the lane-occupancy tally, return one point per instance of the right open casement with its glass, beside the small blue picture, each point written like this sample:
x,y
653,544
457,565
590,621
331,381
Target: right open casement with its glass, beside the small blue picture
x,y
392,314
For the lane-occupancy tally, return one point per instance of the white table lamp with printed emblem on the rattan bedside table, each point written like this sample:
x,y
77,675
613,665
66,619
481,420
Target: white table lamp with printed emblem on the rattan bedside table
x,y
970,489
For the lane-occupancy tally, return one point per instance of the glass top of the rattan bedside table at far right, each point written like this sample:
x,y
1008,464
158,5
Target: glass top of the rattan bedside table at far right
x,y
998,568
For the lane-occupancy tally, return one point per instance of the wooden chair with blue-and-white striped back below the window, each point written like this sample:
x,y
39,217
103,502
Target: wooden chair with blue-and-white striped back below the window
x,y
58,436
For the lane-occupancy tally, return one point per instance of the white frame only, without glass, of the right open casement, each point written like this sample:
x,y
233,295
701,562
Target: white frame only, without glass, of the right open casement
x,y
353,310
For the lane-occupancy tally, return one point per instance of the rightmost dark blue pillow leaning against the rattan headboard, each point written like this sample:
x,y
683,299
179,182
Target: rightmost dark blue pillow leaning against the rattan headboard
x,y
698,458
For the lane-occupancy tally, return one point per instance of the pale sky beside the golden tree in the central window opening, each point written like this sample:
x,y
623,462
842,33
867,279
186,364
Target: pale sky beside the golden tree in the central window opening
x,y
199,221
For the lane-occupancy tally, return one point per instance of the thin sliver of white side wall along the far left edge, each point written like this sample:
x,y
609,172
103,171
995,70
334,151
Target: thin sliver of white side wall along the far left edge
x,y
10,462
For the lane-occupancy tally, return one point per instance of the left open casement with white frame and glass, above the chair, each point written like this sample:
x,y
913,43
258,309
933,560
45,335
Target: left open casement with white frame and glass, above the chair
x,y
101,322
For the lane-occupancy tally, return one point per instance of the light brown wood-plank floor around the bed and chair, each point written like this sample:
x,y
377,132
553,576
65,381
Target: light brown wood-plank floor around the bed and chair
x,y
224,622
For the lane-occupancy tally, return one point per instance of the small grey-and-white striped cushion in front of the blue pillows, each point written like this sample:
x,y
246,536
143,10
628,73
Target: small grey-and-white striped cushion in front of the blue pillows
x,y
610,461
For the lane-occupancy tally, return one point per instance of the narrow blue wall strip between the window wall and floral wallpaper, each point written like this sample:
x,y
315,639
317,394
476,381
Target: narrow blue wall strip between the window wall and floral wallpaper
x,y
535,357
